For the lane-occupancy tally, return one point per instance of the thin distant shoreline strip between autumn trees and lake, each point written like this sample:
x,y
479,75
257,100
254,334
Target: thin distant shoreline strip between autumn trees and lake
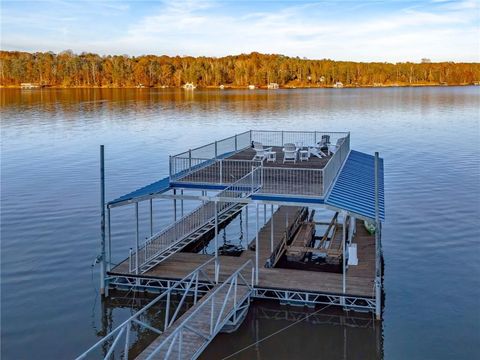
x,y
235,87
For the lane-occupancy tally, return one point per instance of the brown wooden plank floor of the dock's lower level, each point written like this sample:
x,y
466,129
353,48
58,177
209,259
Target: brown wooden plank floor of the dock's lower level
x,y
360,278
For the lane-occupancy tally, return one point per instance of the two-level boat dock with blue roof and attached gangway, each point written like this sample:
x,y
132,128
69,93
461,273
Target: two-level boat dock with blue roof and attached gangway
x,y
280,177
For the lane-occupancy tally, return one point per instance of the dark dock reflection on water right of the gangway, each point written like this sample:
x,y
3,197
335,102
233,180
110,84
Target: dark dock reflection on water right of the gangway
x,y
273,331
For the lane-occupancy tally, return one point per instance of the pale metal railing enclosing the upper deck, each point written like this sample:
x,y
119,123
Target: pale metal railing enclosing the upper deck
x,y
275,180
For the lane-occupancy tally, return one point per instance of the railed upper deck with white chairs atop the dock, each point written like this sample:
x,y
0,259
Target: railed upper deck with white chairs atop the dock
x,y
232,160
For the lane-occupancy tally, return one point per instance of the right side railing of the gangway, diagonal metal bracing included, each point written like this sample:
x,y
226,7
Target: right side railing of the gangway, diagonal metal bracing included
x,y
215,309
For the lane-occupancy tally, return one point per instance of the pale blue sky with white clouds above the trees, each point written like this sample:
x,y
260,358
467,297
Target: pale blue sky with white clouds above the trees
x,y
392,31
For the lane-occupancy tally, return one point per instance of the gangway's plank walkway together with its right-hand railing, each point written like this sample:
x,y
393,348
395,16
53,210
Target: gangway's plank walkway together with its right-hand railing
x,y
225,304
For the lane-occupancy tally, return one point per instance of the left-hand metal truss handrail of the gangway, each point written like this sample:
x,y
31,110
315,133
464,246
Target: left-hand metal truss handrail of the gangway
x,y
134,318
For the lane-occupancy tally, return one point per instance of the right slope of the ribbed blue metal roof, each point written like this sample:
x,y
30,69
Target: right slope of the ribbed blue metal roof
x,y
354,188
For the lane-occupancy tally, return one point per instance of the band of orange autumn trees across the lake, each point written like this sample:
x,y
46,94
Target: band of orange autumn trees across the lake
x,y
67,69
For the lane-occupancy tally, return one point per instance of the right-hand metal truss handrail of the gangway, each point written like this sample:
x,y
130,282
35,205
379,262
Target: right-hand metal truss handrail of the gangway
x,y
215,323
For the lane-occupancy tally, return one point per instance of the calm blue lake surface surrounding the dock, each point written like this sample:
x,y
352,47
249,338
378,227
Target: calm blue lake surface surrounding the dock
x,y
429,138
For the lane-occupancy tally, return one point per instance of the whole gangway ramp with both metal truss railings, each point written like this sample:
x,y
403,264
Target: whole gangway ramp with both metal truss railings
x,y
183,336
